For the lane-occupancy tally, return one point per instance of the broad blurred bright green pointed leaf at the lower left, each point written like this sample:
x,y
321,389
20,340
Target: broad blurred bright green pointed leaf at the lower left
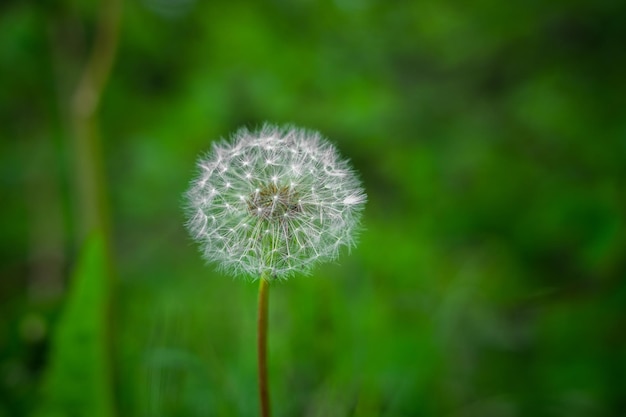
x,y
78,379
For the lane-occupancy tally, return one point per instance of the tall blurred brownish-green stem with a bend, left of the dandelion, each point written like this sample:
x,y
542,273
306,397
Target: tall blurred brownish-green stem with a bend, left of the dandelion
x,y
91,187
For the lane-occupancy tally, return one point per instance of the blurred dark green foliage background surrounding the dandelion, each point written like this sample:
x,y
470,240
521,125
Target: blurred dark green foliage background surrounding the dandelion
x,y
489,280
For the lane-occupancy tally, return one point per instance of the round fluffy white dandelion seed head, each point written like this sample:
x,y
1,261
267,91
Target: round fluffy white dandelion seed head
x,y
274,201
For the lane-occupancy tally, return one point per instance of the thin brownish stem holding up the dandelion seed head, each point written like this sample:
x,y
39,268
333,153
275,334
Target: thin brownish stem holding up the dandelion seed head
x,y
264,398
